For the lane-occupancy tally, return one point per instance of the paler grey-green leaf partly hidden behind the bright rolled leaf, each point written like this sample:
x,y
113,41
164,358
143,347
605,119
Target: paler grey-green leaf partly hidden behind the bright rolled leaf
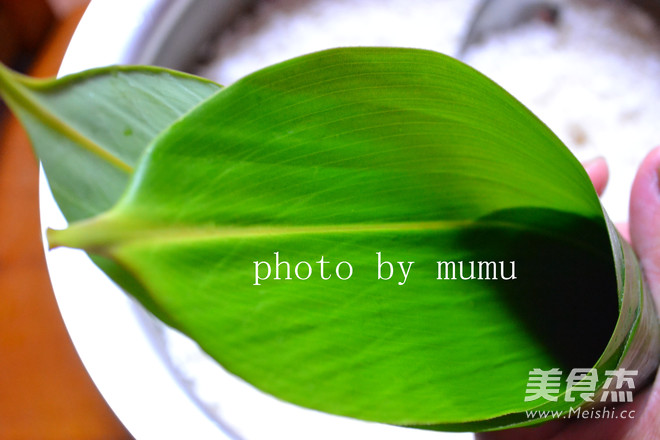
x,y
89,129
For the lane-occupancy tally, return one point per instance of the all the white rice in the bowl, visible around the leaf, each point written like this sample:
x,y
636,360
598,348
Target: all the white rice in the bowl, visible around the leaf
x,y
594,78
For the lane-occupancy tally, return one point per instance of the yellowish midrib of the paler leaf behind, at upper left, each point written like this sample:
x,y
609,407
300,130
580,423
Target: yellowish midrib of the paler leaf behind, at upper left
x,y
20,97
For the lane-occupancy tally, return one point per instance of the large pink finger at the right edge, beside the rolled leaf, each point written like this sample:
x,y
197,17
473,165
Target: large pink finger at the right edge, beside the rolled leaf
x,y
645,220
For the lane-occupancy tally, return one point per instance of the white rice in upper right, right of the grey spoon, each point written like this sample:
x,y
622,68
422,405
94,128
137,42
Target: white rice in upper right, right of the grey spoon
x,y
594,79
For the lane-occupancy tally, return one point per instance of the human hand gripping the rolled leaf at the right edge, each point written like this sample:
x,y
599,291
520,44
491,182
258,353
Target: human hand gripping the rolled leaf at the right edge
x,y
643,232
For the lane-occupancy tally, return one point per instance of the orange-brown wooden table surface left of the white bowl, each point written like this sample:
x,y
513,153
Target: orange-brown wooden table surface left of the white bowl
x,y
45,392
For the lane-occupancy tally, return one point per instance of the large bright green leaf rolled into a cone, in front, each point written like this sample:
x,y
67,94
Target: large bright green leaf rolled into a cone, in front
x,y
353,155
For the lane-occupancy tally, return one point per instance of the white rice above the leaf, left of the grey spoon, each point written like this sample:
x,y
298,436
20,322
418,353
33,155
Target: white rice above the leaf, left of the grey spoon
x,y
283,29
